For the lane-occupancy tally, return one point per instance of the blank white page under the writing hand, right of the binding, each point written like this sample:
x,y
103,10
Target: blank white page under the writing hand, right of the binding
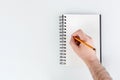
x,y
90,24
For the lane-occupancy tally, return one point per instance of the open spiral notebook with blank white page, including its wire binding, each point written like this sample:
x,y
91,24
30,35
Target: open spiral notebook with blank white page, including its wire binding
x,y
69,23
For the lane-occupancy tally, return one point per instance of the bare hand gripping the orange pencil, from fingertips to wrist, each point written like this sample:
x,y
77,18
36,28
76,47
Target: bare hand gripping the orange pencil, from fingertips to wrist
x,y
83,51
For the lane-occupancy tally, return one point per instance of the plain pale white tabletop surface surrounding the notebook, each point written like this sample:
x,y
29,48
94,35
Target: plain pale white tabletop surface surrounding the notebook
x,y
29,36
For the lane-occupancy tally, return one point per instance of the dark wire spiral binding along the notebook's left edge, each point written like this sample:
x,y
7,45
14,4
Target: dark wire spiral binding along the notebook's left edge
x,y
62,29
